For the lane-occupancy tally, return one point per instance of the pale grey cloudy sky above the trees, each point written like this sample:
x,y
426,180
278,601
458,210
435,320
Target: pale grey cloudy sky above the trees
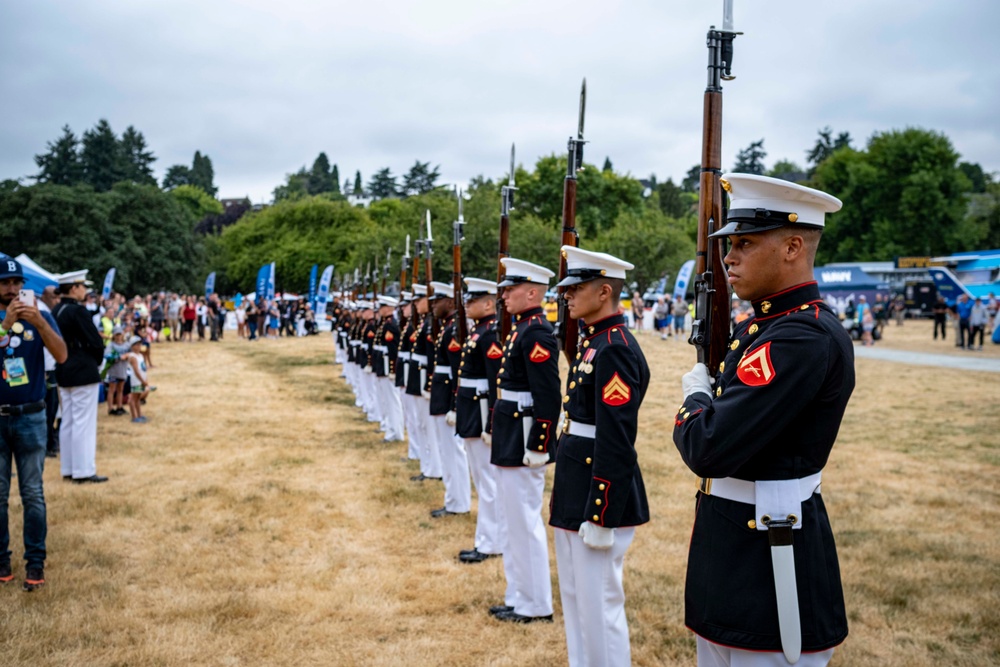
x,y
263,87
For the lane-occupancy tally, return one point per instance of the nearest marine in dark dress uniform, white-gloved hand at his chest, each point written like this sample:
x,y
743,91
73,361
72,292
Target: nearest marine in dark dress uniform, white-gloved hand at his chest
x,y
763,576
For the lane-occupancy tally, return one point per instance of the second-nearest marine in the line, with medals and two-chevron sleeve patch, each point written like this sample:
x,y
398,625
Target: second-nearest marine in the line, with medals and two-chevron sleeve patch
x,y
598,496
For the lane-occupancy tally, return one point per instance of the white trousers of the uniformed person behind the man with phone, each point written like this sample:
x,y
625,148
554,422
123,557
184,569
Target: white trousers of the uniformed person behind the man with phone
x,y
78,430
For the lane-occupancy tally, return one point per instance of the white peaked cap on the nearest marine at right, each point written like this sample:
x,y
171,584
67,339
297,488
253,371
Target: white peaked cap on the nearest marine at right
x,y
760,203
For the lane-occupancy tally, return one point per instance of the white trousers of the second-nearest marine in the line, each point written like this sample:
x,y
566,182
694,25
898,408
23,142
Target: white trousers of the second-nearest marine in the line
x,y
593,600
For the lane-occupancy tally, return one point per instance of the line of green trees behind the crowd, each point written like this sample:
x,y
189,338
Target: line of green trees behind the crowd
x,y
96,204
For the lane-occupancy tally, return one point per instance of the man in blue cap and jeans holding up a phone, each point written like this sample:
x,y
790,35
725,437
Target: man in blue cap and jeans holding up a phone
x,y
24,333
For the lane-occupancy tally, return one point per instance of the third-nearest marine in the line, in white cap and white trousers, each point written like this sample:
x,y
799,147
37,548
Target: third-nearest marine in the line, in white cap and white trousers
x,y
523,425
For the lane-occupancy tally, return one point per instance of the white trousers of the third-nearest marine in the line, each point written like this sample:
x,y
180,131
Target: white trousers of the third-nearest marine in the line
x,y
526,556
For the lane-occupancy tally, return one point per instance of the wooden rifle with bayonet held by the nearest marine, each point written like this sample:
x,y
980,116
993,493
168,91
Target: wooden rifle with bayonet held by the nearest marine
x,y
710,328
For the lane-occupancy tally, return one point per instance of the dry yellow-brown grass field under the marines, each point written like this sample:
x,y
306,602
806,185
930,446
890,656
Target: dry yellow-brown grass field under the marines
x,y
258,519
